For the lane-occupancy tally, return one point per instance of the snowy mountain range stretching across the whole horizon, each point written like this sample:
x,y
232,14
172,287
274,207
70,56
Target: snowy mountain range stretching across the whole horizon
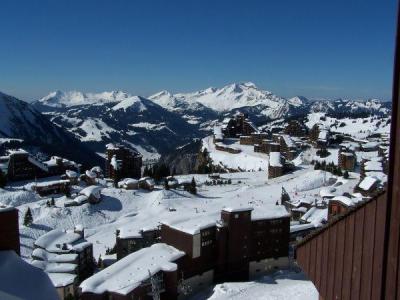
x,y
160,123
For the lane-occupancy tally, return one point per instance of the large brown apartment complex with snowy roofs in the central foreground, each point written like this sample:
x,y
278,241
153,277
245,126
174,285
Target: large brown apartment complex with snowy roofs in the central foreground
x,y
181,257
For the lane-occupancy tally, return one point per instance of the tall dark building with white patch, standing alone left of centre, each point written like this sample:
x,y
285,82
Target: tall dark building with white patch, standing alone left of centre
x,y
122,162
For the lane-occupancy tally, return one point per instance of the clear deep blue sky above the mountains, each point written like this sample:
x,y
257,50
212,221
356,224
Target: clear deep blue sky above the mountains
x,y
314,48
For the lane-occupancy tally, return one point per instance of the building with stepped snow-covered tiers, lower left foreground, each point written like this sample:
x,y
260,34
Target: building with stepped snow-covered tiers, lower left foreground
x,y
66,257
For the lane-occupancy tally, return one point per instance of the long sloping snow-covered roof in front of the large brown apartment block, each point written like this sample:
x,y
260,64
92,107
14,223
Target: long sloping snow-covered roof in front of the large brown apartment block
x,y
125,275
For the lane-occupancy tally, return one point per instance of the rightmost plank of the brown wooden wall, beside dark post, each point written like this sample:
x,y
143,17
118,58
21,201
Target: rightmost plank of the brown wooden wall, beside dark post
x,y
376,285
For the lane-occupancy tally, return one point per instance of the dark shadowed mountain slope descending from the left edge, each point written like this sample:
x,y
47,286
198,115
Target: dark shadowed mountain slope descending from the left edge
x,y
21,120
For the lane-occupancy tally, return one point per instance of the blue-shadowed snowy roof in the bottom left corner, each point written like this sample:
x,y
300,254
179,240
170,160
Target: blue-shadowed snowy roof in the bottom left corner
x,y
20,280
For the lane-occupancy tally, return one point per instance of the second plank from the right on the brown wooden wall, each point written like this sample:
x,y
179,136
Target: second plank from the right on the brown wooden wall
x,y
368,250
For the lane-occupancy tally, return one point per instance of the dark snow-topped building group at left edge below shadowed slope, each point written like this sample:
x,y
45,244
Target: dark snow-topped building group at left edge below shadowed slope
x,y
19,164
